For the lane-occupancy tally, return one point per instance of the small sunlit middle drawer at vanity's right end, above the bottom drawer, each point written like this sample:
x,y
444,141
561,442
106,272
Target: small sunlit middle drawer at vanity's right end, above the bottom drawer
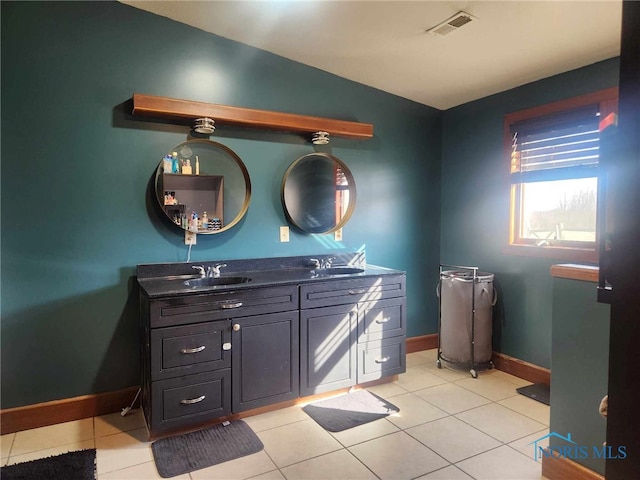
x,y
381,319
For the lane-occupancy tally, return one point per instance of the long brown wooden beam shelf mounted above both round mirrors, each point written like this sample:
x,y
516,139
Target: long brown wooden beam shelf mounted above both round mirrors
x,y
185,112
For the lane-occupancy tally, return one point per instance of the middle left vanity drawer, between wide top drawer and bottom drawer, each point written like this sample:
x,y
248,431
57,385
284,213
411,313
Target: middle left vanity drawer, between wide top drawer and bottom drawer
x,y
190,349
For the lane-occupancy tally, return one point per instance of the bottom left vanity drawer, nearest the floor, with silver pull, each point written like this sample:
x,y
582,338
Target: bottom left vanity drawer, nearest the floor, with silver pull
x,y
191,399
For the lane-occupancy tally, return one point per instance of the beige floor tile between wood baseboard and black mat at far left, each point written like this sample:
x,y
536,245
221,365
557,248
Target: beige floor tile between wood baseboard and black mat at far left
x,y
52,436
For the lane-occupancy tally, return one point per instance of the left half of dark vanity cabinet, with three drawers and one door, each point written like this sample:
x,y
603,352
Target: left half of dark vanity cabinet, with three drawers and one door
x,y
198,367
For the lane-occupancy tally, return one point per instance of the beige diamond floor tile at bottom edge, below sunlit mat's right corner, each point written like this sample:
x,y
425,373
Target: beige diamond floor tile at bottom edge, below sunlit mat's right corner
x,y
397,457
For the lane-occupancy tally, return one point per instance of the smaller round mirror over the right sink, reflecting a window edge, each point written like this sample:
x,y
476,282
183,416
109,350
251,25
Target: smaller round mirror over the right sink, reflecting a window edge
x,y
318,193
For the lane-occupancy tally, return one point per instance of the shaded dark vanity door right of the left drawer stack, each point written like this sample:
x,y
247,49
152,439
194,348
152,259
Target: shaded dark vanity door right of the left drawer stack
x,y
264,360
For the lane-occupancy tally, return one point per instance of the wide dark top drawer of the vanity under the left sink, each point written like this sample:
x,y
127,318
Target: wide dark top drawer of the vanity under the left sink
x,y
185,309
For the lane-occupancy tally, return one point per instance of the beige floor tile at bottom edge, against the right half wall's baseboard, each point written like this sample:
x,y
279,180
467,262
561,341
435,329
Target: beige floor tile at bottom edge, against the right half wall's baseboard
x,y
503,463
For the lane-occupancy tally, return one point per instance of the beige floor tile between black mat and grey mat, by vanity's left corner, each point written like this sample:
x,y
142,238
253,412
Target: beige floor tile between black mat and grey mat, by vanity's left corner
x,y
122,450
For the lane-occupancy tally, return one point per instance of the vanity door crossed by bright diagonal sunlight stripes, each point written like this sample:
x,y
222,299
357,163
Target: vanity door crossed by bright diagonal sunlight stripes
x,y
328,350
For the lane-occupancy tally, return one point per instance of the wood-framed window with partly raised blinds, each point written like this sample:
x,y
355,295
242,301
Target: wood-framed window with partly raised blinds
x,y
553,171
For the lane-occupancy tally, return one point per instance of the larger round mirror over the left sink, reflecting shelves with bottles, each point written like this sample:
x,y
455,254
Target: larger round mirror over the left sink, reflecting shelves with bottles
x,y
203,186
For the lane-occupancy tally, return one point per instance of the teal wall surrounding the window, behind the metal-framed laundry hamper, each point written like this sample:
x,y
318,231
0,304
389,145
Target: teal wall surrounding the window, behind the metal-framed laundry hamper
x,y
475,207
